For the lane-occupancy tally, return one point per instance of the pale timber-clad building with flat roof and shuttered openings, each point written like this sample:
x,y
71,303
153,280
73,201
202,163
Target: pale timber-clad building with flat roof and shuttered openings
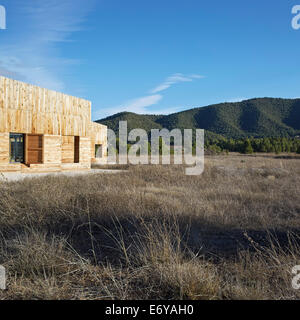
x,y
44,131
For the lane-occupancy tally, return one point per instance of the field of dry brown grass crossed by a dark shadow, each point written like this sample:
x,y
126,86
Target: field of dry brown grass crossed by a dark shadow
x,y
155,233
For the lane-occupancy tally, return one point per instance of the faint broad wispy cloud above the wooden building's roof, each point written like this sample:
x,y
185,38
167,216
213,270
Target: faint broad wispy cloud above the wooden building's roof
x,y
30,50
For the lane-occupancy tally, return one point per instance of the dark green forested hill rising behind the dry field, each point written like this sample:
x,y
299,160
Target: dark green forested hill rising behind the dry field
x,y
263,117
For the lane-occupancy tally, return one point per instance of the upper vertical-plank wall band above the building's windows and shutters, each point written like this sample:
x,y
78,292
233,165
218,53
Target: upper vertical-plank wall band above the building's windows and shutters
x,y
25,108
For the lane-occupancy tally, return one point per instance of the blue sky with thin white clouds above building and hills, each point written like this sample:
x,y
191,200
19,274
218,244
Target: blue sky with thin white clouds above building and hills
x,y
153,56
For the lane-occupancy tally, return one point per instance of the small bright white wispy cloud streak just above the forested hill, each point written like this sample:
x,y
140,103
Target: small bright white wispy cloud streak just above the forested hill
x,y
141,105
